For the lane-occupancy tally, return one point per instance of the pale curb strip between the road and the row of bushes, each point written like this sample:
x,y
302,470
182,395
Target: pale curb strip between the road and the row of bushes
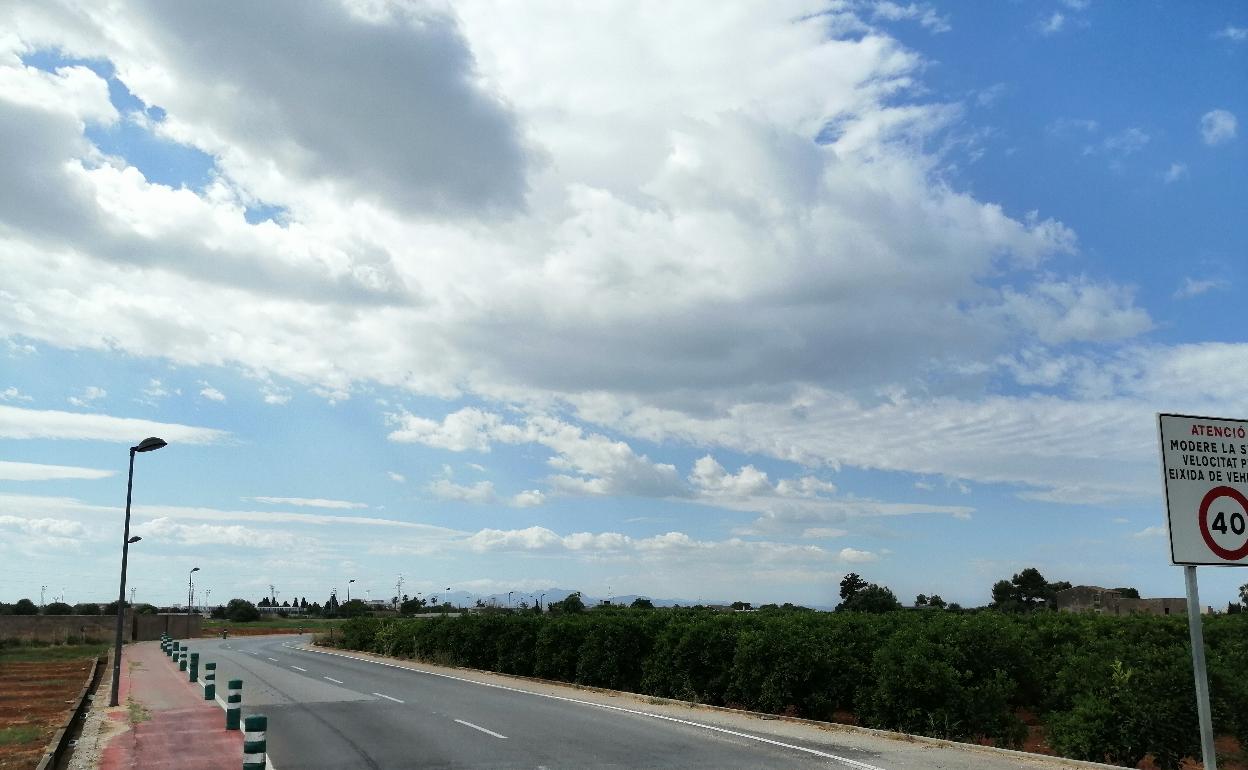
x,y
832,727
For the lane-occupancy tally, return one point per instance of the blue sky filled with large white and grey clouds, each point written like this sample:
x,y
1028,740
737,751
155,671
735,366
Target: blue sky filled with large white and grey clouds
x,y
702,301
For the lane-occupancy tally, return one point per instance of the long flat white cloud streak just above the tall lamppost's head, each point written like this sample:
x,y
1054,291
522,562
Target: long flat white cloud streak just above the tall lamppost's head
x,y
48,424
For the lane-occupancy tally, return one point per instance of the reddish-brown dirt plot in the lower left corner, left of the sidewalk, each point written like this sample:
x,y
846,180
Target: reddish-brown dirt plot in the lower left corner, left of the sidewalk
x,y
34,699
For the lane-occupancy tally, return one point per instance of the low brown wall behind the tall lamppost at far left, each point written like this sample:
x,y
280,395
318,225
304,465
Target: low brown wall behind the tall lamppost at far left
x,y
62,630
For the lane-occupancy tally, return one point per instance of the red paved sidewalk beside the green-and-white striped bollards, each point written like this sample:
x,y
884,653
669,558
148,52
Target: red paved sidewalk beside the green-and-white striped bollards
x,y
182,731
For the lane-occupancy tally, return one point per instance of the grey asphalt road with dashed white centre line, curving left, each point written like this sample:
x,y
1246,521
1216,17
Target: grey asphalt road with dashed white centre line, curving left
x,y
336,712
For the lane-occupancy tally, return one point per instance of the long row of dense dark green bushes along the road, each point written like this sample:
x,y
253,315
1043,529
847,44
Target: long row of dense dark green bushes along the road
x,y
1109,690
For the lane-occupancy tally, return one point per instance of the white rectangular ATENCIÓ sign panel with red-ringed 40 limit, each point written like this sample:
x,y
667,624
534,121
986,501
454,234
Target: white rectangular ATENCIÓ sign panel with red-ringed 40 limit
x,y
1205,466
